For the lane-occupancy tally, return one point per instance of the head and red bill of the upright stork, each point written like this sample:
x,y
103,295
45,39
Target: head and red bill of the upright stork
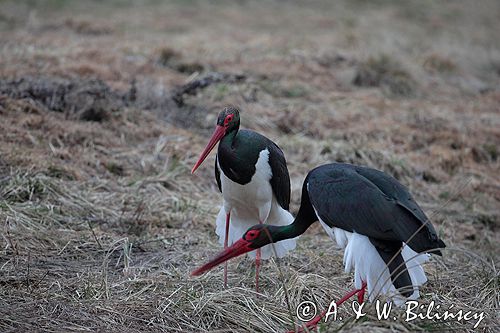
x,y
228,121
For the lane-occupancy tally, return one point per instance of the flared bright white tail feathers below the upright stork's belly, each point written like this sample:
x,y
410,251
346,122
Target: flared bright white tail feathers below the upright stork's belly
x,y
238,227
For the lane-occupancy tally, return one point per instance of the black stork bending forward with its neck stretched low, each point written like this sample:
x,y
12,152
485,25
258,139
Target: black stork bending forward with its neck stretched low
x,y
372,216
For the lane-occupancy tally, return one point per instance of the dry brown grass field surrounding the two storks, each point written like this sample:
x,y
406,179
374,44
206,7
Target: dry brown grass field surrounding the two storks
x,y
105,107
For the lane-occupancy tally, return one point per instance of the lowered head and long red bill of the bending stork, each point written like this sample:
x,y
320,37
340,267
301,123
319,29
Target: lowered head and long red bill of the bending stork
x,y
256,237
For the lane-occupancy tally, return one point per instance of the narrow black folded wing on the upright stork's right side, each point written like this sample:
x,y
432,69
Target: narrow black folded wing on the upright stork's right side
x,y
280,181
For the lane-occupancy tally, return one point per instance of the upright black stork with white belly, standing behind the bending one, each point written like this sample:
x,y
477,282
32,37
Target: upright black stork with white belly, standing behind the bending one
x,y
252,175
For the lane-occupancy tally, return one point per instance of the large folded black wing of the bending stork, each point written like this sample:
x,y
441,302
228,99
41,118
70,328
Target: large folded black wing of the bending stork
x,y
371,203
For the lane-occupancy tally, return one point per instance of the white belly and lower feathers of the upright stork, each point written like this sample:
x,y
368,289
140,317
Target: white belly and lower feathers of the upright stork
x,y
250,204
